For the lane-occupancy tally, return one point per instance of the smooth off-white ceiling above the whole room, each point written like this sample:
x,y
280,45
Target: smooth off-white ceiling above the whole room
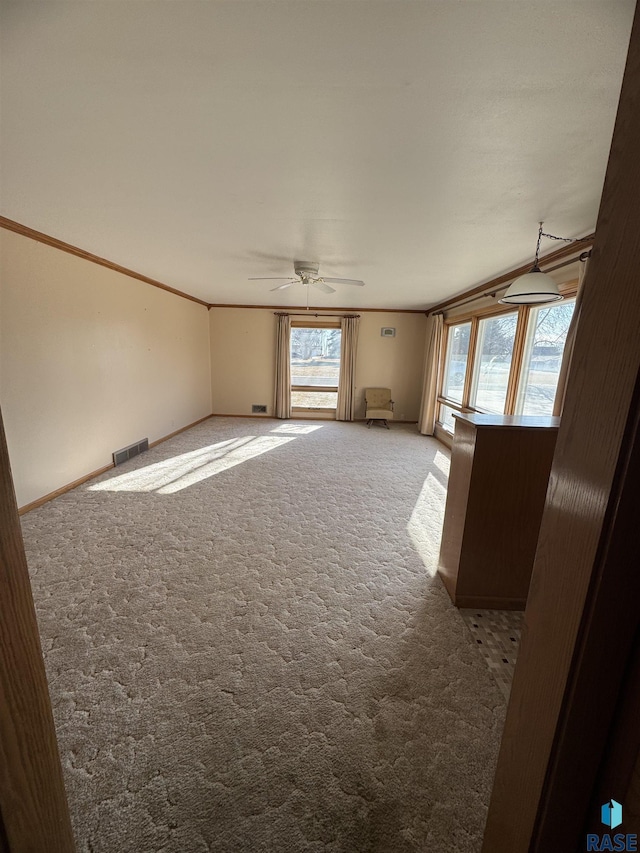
x,y
414,145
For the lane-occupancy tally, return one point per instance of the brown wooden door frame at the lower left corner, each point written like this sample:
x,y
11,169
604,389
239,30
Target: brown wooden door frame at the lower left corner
x,y
34,815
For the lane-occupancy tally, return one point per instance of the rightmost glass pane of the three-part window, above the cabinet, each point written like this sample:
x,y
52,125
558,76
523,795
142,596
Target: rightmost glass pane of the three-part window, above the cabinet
x,y
546,335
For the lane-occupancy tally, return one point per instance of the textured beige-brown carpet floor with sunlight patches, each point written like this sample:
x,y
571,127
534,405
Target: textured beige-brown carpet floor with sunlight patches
x,y
248,651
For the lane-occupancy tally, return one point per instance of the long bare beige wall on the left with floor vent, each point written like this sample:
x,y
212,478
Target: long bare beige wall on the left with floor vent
x,y
90,361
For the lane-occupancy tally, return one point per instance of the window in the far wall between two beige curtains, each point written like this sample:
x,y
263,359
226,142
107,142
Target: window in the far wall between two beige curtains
x,y
315,366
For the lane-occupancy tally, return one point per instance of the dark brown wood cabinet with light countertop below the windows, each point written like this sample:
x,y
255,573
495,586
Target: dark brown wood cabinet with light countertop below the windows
x,y
497,487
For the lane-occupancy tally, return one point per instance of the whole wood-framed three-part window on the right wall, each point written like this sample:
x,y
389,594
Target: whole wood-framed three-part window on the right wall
x,y
504,361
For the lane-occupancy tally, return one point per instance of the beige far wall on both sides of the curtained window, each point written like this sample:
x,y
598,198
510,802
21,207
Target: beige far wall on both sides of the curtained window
x,y
243,359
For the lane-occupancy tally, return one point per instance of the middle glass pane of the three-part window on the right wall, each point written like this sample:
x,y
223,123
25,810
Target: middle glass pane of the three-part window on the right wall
x,y
492,363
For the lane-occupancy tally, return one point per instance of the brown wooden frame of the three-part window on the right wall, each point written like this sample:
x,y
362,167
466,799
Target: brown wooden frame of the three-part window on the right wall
x,y
568,290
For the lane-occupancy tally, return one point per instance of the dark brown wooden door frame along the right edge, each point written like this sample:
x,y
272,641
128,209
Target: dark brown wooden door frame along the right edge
x,y
581,620
